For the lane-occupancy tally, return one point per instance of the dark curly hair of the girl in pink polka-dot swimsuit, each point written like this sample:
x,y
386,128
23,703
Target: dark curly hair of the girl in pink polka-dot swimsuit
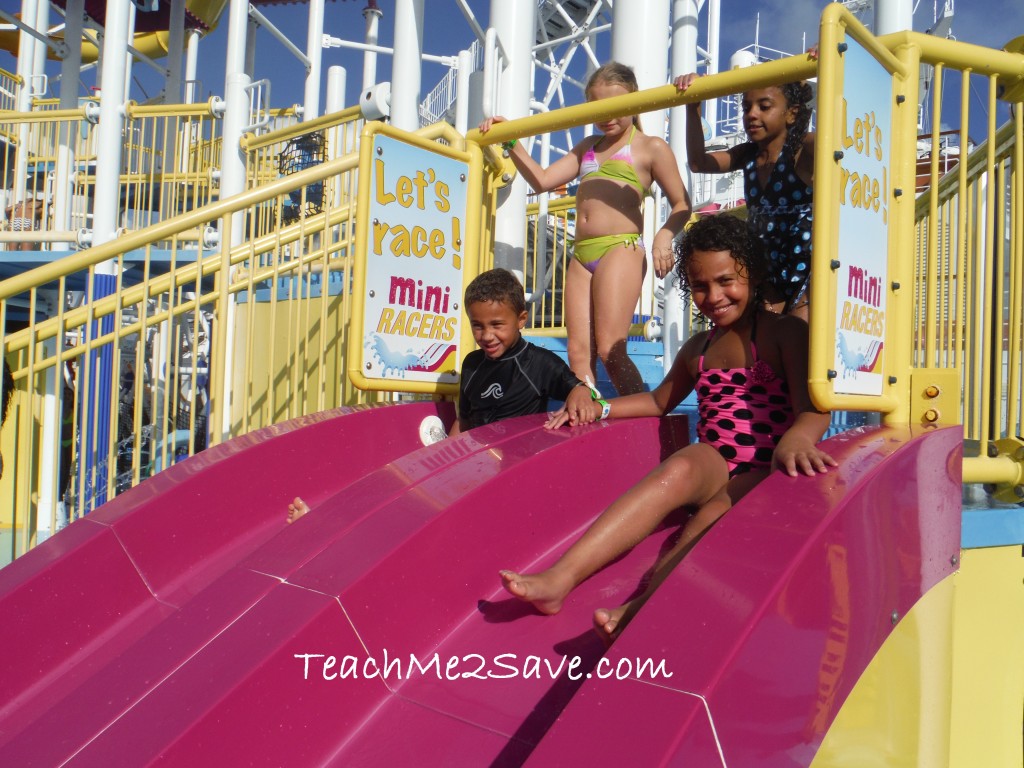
x,y
723,233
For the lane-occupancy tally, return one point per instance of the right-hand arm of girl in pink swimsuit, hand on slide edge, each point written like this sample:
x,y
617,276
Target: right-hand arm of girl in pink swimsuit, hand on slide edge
x,y
797,451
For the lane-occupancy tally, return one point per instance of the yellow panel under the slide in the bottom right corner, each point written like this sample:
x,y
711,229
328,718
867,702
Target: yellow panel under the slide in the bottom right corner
x,y
948,686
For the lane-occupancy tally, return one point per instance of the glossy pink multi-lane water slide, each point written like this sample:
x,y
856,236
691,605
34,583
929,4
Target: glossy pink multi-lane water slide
x,y
185,623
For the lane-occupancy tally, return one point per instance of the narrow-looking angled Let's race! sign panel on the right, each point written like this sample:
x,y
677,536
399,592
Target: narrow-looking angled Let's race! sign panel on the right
x,y
866,133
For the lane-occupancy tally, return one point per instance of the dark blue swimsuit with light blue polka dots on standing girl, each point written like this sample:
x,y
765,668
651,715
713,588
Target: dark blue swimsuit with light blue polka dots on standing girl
x,y
780,214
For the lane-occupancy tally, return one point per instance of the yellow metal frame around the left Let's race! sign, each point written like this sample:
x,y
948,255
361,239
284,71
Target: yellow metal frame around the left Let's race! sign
x,y
474,157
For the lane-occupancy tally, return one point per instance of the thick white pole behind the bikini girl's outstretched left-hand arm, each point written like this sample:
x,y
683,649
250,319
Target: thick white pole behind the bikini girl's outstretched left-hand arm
x,y
517,20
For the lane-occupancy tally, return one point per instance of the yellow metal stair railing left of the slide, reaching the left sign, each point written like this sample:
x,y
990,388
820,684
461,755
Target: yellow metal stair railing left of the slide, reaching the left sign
x,y
194,345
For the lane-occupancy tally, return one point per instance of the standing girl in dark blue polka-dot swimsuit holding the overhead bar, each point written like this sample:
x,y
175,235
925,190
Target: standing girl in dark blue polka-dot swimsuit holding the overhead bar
x,y
779,170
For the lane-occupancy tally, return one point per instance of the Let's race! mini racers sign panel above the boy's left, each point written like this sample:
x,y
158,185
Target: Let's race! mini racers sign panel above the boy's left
x,y
412,291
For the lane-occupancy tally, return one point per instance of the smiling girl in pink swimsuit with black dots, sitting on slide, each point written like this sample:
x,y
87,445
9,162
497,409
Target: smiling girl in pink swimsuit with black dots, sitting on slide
x,y
750,374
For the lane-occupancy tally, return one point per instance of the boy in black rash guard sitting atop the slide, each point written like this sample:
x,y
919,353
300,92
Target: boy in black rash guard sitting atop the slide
x,y
507,376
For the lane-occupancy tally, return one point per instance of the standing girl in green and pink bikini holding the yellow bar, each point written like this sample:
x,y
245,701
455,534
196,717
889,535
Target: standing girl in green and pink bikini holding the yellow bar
x,y
616,169
